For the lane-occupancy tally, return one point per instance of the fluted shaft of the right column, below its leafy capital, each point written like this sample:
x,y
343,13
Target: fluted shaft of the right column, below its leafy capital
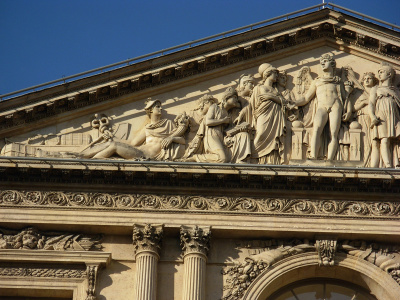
x,y
194,282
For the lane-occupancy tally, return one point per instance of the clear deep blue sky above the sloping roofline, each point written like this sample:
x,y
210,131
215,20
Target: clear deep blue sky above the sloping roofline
x,y
44,40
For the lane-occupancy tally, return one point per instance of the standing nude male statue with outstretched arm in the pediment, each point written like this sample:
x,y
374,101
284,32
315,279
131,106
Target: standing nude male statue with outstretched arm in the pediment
x,y
330,94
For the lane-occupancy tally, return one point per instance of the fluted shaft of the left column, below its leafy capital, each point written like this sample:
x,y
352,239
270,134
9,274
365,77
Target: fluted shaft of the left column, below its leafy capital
x,y
146,278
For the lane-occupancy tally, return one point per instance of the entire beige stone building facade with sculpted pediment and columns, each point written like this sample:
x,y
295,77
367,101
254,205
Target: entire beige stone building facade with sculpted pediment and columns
x,y
257,166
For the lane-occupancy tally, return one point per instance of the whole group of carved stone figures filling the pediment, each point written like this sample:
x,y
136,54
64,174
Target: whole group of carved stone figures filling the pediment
x,y
253,123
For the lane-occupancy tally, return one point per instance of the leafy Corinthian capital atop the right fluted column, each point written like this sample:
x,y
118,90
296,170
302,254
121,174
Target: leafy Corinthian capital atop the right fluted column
x,y
195,239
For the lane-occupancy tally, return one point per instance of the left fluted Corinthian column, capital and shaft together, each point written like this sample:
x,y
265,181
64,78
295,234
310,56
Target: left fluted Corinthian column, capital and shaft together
x,y
147,241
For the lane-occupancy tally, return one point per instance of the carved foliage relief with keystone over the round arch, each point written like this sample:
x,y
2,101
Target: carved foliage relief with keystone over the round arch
x,y
262,254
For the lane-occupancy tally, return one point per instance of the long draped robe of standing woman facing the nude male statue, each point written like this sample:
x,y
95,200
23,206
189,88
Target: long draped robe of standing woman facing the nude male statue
x,y
269,123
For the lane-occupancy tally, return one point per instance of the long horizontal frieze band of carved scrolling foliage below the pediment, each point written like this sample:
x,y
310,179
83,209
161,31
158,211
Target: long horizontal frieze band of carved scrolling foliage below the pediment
x,y
268,206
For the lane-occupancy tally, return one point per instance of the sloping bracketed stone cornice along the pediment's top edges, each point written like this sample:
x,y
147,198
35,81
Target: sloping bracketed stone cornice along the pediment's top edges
x,y
327,26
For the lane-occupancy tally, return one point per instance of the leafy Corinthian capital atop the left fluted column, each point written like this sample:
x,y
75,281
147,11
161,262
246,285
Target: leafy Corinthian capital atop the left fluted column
x,y
147,237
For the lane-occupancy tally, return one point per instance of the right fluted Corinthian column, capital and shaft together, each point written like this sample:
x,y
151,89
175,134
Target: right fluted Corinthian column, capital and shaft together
x,y
195,243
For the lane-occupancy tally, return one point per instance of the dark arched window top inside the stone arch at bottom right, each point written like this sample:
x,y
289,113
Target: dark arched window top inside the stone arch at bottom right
x,y
322,289
